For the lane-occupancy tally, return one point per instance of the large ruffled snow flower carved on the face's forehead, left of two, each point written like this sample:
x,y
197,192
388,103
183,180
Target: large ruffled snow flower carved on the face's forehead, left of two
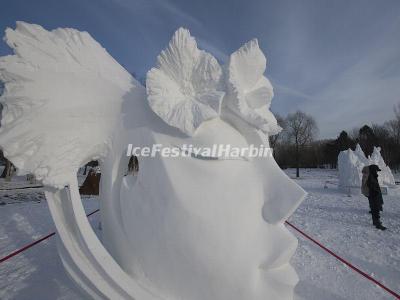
x,y
184,89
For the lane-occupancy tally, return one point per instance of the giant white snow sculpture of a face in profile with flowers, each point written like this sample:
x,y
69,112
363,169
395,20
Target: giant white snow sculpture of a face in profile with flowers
x,y
183,228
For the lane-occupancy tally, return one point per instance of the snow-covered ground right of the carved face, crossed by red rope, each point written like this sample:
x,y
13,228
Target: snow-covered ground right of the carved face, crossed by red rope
x,y
343,224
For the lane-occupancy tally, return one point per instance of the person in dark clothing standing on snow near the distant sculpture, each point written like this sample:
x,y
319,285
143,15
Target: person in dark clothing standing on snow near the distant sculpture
x,y
375,196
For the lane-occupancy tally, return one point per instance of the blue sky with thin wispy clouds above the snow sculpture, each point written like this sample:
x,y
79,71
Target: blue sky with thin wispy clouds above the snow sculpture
x,y
337,60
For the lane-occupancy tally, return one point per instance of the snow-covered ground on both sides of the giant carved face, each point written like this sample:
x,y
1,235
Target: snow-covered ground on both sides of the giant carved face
x,y
340,222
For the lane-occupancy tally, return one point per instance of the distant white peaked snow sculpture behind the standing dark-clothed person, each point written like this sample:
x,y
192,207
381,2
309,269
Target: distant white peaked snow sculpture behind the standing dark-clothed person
x,y
351,163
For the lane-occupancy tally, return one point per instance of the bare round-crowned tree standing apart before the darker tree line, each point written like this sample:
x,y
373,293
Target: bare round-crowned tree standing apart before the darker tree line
x,y
301,130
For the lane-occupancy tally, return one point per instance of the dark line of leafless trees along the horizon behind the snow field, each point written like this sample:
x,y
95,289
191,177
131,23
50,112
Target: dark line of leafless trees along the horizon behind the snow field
x,y
296,145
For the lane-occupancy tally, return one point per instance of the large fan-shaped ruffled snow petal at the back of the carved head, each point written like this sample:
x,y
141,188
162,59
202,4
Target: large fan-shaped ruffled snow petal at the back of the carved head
x,y
62,99
